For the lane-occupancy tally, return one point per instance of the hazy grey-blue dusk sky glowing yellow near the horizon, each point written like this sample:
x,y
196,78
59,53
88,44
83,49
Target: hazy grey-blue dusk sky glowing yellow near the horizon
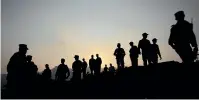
x,y
55,29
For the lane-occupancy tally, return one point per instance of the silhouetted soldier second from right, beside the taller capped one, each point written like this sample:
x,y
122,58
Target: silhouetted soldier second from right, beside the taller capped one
x,y
155,52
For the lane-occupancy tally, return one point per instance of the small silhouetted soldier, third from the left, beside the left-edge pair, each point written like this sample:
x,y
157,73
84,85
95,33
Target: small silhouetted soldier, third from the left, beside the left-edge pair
x,y
46,73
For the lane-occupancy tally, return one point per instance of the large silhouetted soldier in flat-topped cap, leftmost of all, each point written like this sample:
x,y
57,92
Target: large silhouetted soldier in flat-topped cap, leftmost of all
x,y
16,68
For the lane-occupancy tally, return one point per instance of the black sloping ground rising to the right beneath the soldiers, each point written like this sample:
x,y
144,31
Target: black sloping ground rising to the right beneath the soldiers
x,y
165,80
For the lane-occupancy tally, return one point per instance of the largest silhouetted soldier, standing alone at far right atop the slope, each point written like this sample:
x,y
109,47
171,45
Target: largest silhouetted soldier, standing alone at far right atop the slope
x,y
181,37
